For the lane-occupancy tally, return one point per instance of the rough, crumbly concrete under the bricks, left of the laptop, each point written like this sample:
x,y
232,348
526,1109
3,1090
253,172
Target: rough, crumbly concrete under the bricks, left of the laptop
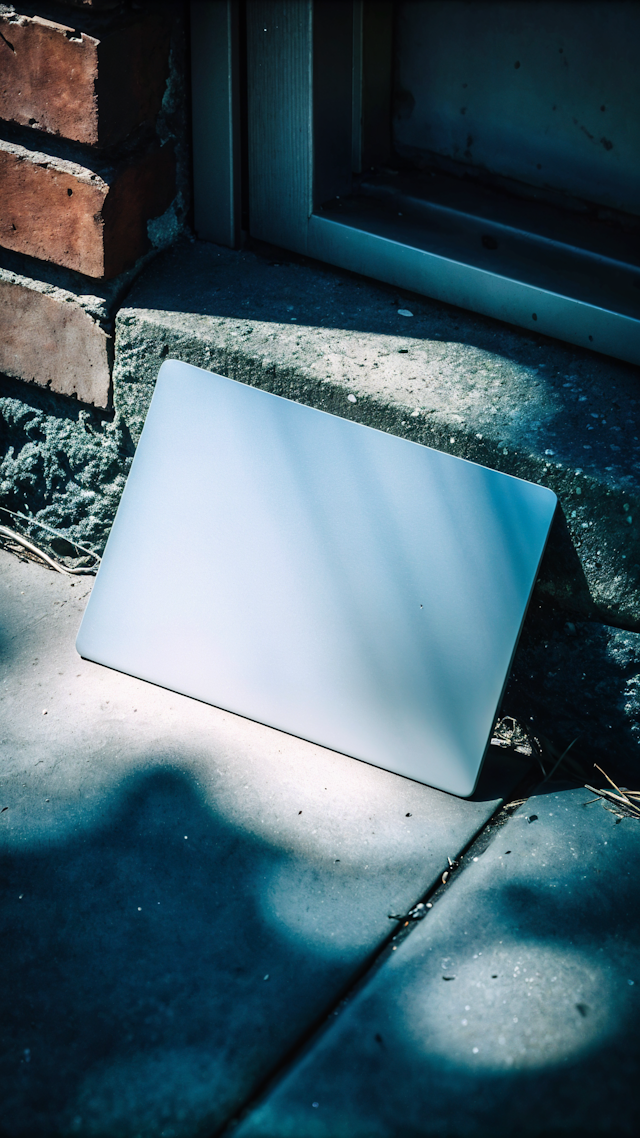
x,y
62,465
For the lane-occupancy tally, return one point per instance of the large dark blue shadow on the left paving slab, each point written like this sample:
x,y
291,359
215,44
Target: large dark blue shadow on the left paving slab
x,y
147,985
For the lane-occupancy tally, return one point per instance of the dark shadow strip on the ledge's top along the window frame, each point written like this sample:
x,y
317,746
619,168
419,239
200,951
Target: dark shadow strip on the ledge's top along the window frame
x,y
270,292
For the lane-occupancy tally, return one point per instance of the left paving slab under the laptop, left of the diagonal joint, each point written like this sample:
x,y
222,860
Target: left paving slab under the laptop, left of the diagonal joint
x,y
185,893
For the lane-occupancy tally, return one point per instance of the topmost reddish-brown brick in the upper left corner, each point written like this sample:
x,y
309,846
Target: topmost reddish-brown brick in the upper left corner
x,y
88,88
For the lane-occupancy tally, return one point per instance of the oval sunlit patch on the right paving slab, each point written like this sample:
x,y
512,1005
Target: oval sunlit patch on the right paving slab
x,y
513,1008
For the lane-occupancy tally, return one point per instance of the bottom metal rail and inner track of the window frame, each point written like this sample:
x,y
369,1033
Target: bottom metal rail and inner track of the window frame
x,y
567,278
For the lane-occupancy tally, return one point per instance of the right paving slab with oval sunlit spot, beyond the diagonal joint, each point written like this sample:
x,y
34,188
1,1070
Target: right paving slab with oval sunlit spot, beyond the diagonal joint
x,y
511,1010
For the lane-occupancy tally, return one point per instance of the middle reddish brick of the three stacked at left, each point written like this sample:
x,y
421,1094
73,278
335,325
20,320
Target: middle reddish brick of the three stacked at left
x,y
93,222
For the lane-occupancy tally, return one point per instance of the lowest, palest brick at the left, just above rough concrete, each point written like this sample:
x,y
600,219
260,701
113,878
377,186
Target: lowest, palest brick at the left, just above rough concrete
x,y
48,340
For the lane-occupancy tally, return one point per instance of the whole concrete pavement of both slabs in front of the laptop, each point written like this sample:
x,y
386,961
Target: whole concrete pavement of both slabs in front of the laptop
x,y
198,937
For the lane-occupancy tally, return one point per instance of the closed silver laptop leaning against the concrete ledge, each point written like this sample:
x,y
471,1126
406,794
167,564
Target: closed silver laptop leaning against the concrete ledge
x,y
334,582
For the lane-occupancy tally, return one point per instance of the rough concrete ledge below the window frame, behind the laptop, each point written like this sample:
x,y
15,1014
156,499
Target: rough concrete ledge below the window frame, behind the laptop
x,y
504,398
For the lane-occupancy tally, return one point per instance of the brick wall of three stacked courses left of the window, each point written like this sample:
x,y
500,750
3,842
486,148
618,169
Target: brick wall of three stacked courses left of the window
x,y
94,175
